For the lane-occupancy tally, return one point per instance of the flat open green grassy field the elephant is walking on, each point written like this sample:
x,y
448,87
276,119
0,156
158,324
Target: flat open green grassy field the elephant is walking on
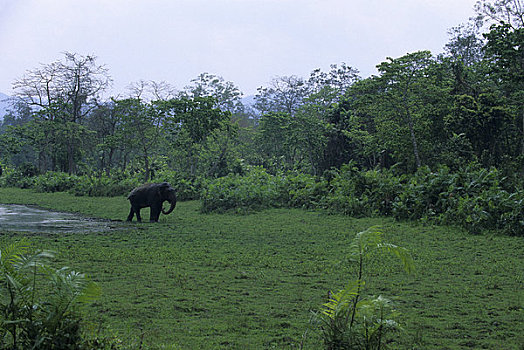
x,y
250,282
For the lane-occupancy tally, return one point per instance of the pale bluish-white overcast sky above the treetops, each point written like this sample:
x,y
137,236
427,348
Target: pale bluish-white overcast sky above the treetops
x,y
247,42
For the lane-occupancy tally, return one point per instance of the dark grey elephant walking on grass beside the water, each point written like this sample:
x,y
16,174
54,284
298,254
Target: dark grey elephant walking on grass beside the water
x,y
153,196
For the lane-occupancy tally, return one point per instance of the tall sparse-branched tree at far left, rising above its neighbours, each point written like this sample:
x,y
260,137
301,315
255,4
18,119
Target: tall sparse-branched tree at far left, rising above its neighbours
x,y
61,94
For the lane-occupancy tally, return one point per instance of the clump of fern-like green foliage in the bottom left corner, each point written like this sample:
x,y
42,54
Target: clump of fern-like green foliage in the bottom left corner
x,y
40,305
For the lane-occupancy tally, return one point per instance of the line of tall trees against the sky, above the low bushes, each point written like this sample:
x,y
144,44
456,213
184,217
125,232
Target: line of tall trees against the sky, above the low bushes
x,y
461,106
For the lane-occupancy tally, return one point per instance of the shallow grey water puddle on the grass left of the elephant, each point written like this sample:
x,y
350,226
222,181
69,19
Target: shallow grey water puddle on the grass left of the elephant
x,y
15,217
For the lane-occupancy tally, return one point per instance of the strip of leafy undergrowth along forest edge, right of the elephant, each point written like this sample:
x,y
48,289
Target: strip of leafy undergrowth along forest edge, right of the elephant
x,y
472,197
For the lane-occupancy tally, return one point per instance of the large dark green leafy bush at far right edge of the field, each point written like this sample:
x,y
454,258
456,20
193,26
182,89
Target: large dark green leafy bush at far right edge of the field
x,y
473,197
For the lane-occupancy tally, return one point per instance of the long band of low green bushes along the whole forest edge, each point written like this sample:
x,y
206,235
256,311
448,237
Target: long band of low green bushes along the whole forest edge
x,y
475,198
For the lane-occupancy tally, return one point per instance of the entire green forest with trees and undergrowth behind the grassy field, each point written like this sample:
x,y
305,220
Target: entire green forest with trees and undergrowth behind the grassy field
x,y
436,137
